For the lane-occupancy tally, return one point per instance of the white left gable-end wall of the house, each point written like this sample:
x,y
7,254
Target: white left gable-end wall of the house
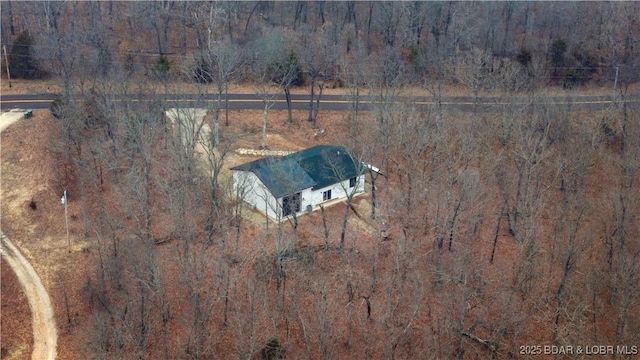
x,y
247,186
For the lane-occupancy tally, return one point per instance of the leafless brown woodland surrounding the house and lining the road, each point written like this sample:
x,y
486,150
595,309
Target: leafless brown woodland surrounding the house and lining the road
x,y
486,233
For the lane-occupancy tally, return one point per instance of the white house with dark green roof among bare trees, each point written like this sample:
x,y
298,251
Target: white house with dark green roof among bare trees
x,y
302,181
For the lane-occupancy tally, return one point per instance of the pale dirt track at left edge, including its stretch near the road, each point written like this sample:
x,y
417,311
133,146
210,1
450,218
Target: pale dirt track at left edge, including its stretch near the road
x,y
45,334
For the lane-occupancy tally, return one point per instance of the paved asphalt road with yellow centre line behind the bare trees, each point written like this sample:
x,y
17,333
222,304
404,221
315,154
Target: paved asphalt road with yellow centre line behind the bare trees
x,y
327,102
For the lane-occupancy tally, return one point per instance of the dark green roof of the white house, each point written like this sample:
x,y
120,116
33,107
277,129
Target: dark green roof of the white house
x,y
316,167
